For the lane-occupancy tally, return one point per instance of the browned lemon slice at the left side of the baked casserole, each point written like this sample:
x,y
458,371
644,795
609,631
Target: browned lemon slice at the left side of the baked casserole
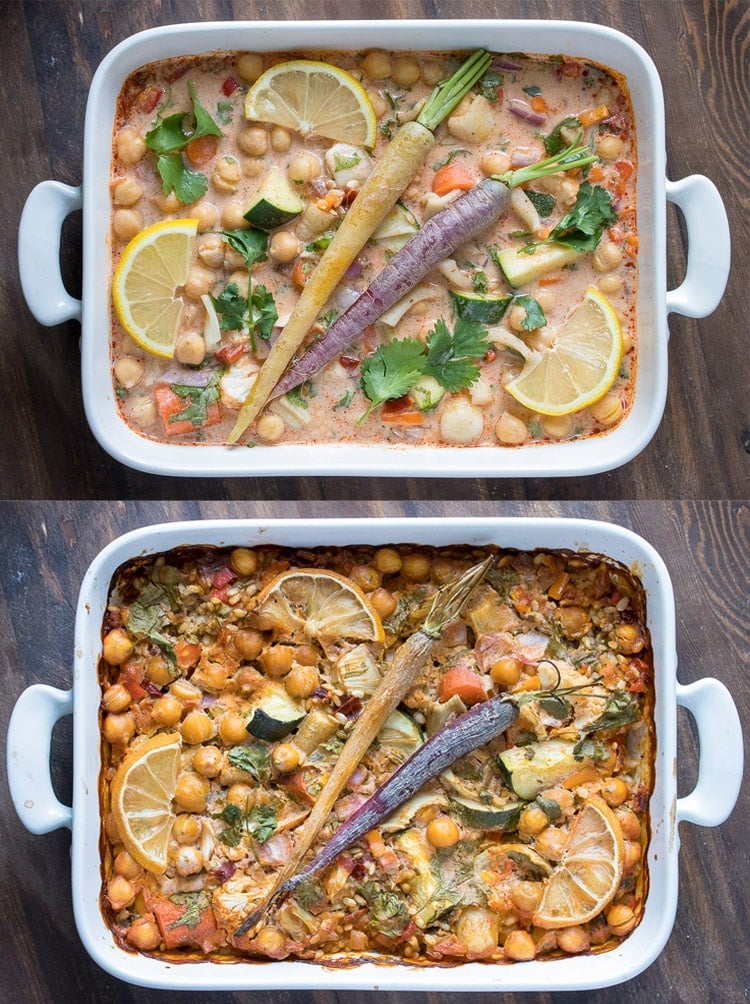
x,y
142,794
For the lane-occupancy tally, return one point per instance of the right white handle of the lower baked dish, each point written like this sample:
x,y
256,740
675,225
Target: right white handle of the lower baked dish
x,y
721,754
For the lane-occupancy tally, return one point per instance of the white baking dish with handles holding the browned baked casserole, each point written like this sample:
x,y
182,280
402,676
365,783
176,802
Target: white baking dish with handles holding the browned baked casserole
x,y
710,804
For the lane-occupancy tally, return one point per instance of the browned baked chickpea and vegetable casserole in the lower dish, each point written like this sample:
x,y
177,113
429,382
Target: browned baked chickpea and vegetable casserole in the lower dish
x,y
236,685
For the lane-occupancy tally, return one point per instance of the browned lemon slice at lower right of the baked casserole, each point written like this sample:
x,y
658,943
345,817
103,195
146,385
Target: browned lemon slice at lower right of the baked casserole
x,y
590,872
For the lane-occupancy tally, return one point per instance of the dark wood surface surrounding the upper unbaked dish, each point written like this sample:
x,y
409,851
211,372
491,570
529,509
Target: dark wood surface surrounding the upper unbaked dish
x,y
51,52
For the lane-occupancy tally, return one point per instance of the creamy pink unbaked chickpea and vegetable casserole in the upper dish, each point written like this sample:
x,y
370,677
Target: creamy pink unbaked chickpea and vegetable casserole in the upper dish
x,y
255,208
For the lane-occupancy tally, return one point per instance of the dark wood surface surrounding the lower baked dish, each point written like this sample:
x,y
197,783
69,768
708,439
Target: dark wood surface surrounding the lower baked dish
x,y
48,548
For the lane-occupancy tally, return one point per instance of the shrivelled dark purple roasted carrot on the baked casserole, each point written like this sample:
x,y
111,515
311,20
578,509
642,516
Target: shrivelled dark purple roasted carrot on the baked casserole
x,y
483,723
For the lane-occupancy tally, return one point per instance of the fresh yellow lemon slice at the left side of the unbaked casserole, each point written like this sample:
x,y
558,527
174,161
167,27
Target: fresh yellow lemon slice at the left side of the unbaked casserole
x,y
145,289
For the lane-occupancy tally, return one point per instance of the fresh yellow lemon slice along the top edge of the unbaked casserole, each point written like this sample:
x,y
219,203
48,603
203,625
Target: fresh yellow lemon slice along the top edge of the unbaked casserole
x,y
314,99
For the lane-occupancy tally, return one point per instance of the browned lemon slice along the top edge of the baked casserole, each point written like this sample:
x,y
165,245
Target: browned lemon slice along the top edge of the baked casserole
x,y
320,605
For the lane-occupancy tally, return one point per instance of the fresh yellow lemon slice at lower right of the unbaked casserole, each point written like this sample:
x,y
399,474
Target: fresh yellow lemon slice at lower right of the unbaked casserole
x,y
582,365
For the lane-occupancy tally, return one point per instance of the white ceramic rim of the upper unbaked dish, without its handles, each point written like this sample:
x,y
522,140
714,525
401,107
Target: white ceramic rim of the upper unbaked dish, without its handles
x,y
593,42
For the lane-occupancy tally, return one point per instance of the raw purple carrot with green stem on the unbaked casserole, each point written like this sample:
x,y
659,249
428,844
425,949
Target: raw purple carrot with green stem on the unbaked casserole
x,y
458,223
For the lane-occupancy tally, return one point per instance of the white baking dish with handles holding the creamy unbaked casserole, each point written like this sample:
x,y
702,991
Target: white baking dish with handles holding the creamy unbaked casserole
x,y
699,295
